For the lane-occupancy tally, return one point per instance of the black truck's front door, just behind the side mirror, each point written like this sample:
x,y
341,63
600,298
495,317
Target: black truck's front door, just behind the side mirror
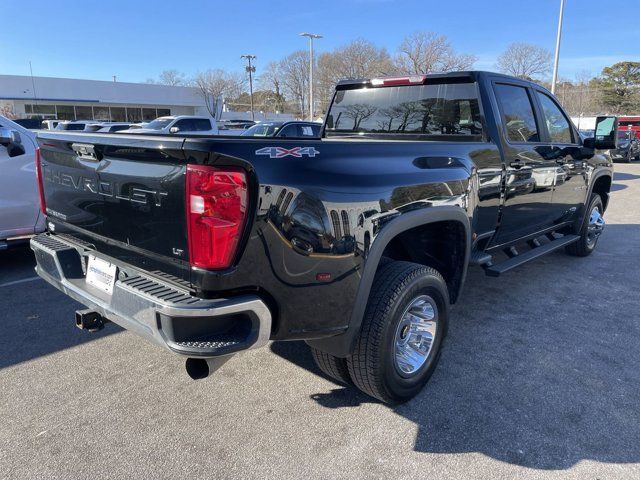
x,y
571,181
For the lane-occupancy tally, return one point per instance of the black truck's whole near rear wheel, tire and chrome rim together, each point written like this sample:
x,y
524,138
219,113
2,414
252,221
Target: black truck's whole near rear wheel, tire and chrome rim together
x,y
402,332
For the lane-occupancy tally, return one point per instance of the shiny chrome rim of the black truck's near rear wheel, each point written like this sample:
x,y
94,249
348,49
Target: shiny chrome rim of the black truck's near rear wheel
x,y
415,335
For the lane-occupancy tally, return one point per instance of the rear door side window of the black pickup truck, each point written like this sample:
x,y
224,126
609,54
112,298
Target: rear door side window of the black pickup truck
x,y
517,113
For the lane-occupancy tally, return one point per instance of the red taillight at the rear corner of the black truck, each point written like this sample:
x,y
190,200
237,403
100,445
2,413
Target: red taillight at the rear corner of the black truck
x,y
216,213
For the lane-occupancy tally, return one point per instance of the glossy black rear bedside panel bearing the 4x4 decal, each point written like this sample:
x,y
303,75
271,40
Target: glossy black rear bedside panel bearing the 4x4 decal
x,y
315,218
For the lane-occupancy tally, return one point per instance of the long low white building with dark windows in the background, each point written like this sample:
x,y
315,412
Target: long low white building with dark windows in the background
x,y
71,99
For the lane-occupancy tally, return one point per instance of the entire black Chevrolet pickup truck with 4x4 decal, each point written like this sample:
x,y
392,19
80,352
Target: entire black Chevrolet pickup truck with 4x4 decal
x,y
356,242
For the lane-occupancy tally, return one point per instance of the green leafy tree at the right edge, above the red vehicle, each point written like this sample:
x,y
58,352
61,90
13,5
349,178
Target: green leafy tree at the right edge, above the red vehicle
x,y
619,85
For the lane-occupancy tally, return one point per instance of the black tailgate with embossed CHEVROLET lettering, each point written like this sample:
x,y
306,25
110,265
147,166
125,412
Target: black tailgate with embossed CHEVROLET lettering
x,y
121,192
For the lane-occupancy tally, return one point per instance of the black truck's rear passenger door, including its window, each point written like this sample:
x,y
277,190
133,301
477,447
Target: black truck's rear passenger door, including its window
x,y
529,171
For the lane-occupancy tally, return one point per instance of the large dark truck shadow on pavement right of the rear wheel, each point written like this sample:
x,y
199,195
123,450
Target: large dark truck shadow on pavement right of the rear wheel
x,y
540,368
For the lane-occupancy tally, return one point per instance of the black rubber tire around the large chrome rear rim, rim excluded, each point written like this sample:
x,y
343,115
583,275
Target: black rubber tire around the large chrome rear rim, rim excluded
x,y
372,366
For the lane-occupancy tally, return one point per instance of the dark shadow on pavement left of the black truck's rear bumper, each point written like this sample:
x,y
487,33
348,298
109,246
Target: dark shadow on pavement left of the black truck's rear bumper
x,y
36,319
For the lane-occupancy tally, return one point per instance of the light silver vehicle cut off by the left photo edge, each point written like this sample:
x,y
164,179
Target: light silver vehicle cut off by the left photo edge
x,y
20,215
